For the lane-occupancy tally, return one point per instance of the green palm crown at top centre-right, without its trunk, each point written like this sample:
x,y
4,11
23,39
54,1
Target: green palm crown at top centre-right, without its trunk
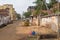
x,y
40,5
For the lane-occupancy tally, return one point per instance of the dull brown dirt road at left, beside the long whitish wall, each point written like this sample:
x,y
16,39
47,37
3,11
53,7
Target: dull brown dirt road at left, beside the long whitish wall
x,y
9,32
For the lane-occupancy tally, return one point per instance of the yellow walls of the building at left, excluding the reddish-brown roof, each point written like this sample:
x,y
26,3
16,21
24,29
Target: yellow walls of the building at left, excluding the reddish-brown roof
x,y
11,10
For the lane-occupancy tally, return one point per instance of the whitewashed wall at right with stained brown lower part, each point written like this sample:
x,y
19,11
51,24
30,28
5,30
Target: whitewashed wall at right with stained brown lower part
x,y
50,22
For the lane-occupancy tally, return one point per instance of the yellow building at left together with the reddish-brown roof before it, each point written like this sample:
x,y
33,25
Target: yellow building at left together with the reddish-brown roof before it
x,y
7,9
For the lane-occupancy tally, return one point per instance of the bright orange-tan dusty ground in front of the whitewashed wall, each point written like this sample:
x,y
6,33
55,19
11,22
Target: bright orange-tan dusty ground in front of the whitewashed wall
x,y
37,29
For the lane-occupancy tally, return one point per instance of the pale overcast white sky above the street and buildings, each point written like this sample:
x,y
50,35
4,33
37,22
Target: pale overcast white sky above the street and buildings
x,y
19,5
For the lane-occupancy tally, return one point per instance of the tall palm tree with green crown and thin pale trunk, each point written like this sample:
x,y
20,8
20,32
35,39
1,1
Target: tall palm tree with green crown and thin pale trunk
x,y
39,6
